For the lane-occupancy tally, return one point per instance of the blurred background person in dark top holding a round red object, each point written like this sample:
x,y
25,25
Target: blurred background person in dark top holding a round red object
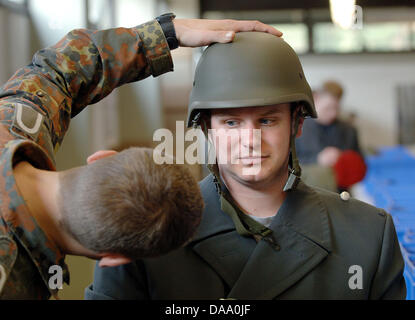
x,y
329,147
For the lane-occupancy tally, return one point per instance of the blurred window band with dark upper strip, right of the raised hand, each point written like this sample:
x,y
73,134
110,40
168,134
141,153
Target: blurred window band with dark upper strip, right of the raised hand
x,y
312,31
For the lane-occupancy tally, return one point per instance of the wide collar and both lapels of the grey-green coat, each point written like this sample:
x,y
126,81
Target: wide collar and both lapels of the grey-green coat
x,y
256,270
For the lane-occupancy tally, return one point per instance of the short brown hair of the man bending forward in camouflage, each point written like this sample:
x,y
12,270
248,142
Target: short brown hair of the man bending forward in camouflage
x,y
128,204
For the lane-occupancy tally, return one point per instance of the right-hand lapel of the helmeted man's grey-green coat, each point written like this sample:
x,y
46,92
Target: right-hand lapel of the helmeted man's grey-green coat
x,y
301,228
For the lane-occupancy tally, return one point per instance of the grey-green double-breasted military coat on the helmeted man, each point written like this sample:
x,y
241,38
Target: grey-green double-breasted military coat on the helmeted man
x,y
329,249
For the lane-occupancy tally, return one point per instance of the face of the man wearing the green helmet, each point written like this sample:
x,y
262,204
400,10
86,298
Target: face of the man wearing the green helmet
x,y
262,142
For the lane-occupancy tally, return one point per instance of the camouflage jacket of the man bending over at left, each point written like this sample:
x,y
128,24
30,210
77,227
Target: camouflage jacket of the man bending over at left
x,y
36,106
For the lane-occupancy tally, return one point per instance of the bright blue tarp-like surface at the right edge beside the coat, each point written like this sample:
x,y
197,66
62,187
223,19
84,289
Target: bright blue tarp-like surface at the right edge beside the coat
x,y
390,182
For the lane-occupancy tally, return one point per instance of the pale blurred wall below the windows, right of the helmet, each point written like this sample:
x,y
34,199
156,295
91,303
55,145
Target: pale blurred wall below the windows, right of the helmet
x,y
370,82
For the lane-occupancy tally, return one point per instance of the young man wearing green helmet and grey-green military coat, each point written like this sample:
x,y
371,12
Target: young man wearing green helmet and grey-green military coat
x,y
265,235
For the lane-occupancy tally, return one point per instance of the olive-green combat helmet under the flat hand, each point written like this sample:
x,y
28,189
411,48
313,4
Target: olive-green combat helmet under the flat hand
x,y
256,69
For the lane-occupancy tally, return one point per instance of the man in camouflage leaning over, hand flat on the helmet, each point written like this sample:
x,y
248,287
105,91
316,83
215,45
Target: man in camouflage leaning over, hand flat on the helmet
x,y
120,206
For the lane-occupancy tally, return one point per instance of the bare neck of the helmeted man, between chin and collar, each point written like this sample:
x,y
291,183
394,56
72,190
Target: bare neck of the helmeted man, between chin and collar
x,y
260,200
